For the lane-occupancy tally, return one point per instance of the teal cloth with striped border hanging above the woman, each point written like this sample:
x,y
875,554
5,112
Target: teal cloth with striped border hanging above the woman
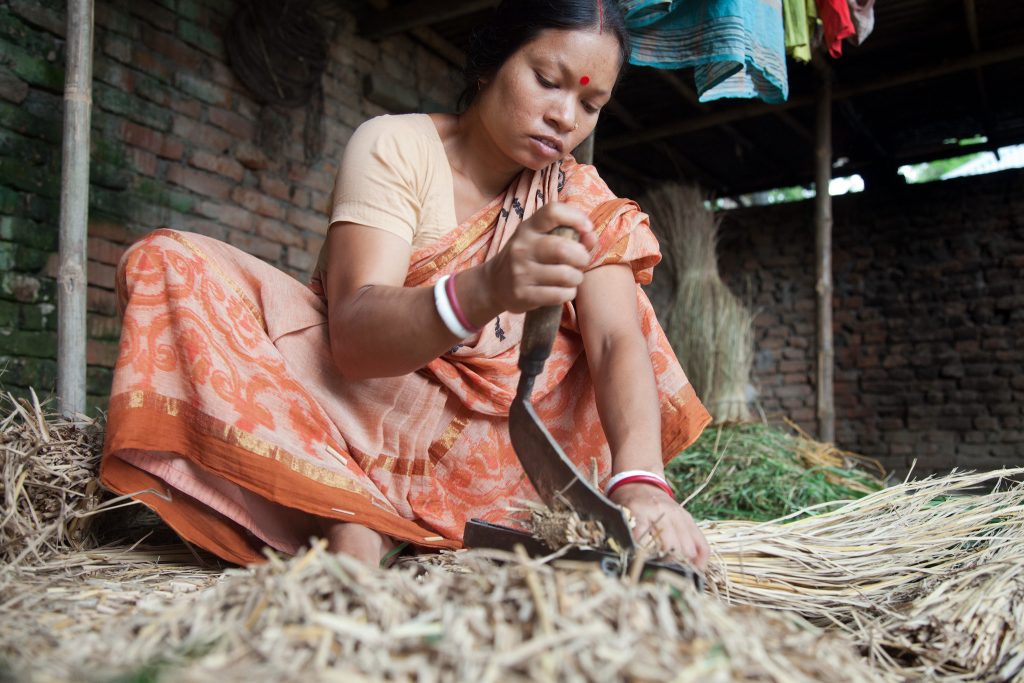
x,y
736,48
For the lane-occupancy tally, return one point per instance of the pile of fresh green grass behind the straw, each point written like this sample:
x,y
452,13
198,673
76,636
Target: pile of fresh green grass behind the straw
x,y
761,473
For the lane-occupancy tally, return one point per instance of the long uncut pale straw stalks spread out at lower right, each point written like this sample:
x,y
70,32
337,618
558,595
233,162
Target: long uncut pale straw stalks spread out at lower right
x,y
882,567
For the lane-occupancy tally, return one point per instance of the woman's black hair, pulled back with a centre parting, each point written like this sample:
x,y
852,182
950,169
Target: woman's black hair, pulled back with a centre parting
x,y
517,23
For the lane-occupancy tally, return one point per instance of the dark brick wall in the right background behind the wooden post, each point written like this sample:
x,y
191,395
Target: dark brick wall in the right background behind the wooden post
x,y
929,319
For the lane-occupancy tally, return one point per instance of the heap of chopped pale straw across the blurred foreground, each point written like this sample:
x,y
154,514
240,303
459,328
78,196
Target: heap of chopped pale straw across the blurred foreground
x,y
321,617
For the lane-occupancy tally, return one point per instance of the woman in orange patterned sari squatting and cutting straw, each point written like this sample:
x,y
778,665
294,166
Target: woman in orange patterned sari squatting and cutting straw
x,y
371,408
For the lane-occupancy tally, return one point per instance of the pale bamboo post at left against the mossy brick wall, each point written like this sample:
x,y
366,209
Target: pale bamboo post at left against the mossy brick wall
x,y
75,209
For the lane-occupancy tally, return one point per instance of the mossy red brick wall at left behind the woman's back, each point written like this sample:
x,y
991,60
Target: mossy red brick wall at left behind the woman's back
x,y
175,144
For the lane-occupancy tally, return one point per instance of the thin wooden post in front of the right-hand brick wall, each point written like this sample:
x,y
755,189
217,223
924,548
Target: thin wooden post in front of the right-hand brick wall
x,y
823,230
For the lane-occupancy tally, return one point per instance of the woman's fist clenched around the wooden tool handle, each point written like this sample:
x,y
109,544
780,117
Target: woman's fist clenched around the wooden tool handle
x,y
537,269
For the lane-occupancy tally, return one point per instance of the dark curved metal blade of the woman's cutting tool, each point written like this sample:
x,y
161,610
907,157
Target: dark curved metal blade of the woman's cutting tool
x,y
557,479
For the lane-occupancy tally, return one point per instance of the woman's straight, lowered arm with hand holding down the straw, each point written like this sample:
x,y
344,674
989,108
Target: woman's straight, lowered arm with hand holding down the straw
x,y
629,408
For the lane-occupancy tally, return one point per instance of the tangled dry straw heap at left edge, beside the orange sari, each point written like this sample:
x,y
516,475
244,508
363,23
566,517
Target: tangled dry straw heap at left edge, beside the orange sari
x,y
49,481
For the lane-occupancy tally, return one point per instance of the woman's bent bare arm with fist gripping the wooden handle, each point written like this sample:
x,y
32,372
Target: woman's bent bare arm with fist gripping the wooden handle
x,y
379,328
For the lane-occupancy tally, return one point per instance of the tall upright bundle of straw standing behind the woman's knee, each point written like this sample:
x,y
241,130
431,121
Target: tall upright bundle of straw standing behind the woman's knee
x,y
710,329
